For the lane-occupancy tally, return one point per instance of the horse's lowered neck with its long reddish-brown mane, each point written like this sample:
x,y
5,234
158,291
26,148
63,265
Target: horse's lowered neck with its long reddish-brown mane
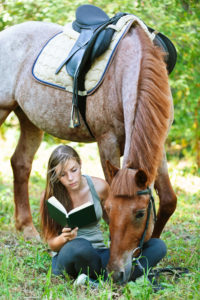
x,y
146,103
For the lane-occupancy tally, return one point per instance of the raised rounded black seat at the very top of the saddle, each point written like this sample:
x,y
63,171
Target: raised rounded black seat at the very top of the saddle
x,y
89,16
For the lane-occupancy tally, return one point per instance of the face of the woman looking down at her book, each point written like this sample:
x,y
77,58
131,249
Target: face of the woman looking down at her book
x,y
70,176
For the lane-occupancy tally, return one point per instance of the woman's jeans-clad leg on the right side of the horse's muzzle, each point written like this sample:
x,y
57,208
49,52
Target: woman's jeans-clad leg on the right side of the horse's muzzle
x,y
153,251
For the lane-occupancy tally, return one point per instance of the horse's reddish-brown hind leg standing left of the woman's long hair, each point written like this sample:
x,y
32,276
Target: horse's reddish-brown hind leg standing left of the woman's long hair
x,y
21,161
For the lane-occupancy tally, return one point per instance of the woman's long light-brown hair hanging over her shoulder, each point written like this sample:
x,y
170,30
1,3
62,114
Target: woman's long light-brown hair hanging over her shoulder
x,y
55,188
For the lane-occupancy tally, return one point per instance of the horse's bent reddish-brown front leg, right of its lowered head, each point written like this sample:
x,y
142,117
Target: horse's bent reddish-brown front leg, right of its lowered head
x,y
167,198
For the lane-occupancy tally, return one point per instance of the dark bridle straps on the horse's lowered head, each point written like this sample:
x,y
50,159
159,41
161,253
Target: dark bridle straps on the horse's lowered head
x,y
150,205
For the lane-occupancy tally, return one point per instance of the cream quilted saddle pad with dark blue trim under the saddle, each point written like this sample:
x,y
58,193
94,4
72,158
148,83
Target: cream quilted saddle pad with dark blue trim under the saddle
x,y
57,48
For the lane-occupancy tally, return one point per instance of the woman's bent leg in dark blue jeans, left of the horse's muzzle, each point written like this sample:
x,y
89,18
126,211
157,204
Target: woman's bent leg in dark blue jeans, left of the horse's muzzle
x,y
77,256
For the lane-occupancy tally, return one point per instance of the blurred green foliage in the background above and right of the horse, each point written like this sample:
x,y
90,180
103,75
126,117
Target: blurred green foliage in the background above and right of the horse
x,y
179,20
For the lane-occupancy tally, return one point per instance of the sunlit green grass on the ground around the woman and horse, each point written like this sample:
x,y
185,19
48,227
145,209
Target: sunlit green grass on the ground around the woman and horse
x,y
25,266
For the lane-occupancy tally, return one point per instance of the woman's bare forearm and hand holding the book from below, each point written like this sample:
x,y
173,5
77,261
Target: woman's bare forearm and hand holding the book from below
x,y
57,242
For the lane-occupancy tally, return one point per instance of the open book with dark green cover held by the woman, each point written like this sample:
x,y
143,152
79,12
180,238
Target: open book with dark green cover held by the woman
x,y
78,217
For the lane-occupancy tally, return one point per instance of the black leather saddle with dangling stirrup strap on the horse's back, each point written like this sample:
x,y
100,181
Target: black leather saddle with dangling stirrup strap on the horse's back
x,y
94,39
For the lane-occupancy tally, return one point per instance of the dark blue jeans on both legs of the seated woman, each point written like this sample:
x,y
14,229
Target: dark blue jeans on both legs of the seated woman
x,y
79,256
